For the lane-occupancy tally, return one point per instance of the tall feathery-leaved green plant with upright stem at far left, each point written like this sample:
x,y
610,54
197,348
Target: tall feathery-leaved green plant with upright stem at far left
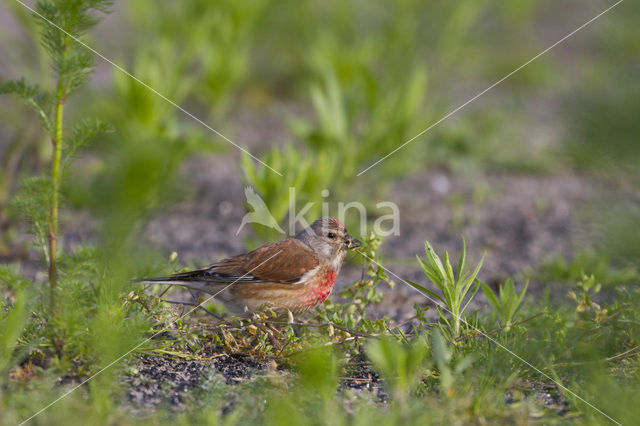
x,y
72,65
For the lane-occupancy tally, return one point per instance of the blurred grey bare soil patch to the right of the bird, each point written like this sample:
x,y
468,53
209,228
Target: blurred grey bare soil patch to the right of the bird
x,y
518,221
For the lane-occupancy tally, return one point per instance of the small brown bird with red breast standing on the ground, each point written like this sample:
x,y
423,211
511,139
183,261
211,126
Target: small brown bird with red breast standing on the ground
x,y
291,275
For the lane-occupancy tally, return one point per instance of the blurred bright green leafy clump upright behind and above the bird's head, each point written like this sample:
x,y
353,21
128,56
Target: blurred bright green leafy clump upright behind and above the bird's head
x,y
390,109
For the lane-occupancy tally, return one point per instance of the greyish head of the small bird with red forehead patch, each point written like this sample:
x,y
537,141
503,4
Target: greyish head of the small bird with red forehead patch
x,y
329,238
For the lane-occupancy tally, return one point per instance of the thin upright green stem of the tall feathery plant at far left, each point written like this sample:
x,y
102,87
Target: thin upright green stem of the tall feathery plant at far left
x,y
61,95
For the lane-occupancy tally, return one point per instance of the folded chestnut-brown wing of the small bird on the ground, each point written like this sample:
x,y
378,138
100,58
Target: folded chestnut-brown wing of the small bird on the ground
x,y
284,261
